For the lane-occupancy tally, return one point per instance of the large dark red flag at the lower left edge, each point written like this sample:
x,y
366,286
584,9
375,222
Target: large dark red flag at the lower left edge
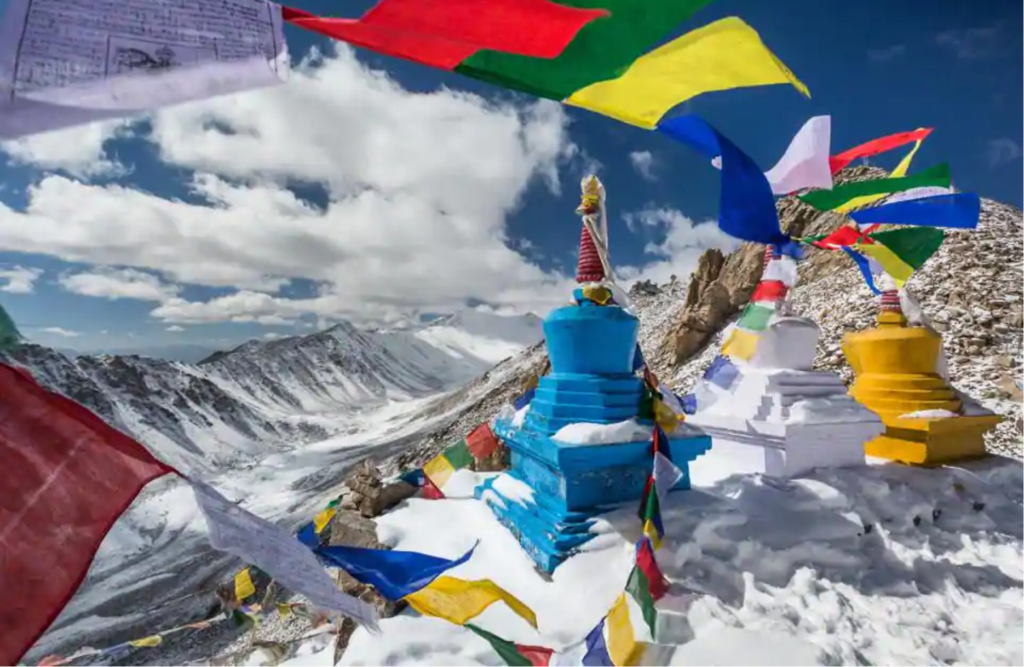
x,y
66,478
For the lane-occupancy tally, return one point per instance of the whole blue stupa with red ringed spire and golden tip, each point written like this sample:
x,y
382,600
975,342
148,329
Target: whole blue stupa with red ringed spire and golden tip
x,y
592,347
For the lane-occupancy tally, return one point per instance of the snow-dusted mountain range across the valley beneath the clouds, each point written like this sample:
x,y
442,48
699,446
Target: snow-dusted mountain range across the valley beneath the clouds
x,y
237,407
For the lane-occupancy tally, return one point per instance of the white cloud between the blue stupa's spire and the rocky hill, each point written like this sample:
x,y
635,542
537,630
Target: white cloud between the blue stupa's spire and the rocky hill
x,y
677,256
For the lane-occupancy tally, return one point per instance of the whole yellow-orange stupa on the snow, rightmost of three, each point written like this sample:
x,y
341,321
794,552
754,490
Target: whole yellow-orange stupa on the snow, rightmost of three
x,y
897,369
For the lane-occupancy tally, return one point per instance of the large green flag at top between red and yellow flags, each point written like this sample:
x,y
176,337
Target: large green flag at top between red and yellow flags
x,y
604,50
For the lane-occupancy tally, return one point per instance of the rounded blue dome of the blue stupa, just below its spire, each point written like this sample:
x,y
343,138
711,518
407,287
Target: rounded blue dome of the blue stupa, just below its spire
x,y
591,340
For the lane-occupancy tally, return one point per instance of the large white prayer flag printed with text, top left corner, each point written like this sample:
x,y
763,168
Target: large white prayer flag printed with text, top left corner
x,y
66,63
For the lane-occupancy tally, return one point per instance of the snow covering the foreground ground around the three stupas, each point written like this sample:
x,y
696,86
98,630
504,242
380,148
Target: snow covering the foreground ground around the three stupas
x,y
764,572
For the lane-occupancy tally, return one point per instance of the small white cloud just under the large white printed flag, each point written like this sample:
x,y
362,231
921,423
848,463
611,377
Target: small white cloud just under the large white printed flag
x,y
79,151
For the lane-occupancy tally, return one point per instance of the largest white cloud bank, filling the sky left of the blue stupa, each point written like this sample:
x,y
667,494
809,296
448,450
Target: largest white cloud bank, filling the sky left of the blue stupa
x,y
420,186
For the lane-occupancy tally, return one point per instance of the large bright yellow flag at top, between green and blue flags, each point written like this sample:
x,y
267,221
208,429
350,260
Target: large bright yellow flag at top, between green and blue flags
x,y
726,55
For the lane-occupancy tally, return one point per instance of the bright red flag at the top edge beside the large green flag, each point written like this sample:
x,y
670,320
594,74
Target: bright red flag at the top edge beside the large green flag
x,y
444,33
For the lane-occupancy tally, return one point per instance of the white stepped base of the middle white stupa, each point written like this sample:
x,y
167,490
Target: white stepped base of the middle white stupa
x,y
784,424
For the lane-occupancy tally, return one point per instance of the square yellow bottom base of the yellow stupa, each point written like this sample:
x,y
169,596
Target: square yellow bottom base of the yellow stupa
x,y
932,442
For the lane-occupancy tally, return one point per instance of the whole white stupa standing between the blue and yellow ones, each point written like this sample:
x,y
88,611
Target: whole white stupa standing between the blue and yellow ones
x,y
765,408
